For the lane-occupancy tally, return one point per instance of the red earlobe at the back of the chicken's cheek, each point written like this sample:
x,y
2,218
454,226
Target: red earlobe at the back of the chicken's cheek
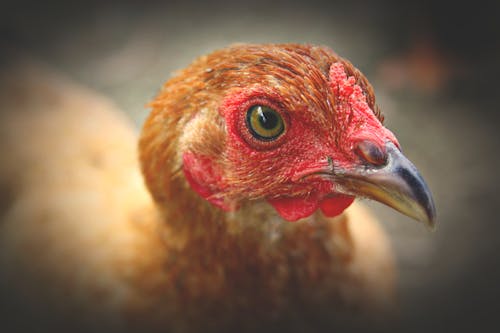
x,y
204,178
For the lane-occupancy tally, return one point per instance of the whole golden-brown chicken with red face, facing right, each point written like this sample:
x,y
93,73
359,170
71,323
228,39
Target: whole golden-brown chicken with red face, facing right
x,y
251,155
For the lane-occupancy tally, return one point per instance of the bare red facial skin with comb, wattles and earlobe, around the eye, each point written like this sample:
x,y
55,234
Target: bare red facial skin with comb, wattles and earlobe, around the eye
x,y
287,171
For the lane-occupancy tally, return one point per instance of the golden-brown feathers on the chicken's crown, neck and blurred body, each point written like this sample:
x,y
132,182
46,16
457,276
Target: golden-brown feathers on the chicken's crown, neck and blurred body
x,y
81,232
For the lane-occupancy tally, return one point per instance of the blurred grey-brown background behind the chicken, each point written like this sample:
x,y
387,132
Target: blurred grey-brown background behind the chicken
x,y
434,66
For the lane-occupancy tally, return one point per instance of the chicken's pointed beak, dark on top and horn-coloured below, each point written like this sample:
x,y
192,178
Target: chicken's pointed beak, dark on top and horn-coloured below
x,y
397,184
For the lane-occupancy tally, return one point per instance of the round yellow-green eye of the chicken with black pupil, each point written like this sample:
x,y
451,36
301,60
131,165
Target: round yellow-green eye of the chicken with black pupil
x,y
264,123
